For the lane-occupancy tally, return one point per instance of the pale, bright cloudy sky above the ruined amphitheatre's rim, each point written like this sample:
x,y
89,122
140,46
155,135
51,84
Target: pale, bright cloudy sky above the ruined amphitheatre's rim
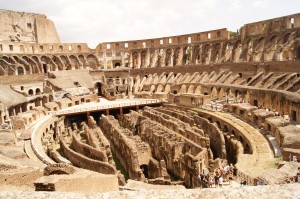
x,y
96,21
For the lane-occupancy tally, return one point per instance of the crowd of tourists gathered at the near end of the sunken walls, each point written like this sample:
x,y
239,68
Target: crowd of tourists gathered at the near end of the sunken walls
x,y
219,176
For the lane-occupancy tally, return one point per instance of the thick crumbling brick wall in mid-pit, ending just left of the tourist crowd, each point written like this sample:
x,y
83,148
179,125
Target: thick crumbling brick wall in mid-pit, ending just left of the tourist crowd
x,y
183,158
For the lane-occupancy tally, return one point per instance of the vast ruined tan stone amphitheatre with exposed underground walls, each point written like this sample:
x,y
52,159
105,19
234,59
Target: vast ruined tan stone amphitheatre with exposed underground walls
x,y
160,113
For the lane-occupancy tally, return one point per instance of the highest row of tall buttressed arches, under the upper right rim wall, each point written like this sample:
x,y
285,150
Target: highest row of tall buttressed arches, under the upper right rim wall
x,y
264,48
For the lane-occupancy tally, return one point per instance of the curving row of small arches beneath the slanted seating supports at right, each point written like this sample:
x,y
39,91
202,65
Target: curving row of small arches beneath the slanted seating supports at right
x,y
273,99
